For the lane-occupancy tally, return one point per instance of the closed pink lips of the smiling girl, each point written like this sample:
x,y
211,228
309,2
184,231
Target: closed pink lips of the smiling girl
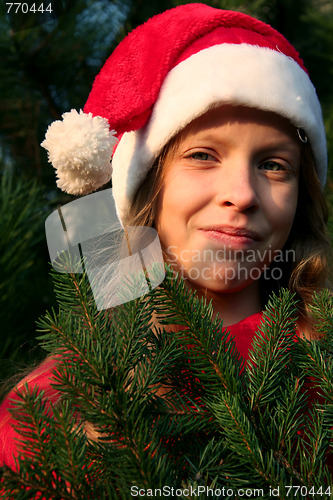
x,y
232,235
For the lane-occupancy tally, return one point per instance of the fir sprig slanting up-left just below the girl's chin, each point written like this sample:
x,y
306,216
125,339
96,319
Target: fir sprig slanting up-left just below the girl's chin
x,y
210,346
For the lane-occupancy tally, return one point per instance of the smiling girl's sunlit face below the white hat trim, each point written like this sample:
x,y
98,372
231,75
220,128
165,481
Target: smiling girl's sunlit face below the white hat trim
x,y
229,197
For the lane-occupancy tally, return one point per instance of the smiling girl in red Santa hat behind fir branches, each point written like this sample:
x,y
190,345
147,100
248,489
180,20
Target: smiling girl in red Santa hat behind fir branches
x,y
221,148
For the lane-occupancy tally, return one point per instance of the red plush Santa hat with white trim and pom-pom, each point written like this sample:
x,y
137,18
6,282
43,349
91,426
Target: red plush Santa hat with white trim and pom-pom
x,y
165,74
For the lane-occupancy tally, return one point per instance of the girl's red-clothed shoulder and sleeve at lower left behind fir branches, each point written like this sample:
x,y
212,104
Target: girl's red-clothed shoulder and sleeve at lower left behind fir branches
x,y
40,378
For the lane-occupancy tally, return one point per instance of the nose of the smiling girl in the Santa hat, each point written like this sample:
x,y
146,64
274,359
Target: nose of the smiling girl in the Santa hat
x,y
238,187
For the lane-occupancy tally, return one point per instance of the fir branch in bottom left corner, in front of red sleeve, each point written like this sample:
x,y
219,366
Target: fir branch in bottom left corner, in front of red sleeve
x,y
53,463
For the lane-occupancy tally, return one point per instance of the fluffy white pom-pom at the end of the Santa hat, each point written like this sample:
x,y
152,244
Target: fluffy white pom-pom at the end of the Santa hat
x,y
80,149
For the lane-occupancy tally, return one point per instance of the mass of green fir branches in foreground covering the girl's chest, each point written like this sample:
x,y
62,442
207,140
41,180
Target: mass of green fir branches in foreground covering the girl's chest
x,y
154,393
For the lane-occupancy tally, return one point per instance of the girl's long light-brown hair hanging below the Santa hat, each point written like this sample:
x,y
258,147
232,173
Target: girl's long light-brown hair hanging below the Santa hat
x,y
308,240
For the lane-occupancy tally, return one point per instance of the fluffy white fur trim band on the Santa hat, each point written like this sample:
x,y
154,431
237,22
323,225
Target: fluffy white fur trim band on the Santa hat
x,y
229,73
